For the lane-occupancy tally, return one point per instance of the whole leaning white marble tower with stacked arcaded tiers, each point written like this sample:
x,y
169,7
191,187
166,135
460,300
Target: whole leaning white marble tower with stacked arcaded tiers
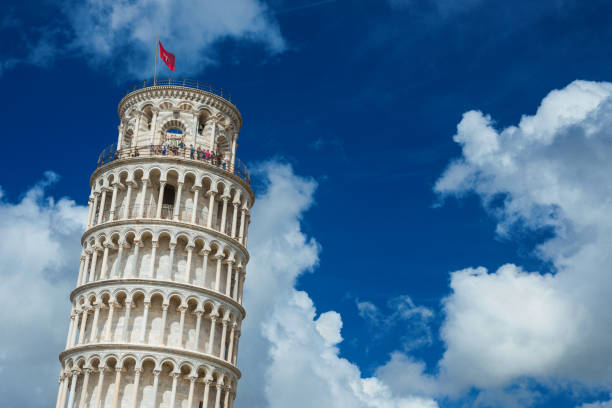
x,y
157,308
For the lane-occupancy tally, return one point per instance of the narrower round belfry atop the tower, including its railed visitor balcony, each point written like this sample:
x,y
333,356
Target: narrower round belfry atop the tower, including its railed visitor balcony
x,y
178,118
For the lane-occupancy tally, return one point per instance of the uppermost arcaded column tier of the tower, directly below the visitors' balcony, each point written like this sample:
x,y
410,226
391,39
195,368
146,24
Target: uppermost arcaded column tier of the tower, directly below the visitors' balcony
x,y
162,191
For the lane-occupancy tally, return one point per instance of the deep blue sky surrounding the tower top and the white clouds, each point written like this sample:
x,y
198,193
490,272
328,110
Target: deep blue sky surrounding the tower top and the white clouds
x,y
361,99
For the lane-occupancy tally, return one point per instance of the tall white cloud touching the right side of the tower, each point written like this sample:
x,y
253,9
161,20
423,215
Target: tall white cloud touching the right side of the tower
x,y
288,352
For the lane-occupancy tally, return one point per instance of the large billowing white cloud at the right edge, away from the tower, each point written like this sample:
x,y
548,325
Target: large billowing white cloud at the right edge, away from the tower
x,y
551,172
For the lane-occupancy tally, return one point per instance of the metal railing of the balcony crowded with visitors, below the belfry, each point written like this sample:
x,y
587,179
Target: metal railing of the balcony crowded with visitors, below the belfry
x,y
110,154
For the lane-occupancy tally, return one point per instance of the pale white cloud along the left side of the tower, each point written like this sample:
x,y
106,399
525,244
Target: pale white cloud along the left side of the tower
x,y
38,268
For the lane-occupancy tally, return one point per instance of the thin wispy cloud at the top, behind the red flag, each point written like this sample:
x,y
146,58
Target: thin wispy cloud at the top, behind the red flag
x,y
106,31
